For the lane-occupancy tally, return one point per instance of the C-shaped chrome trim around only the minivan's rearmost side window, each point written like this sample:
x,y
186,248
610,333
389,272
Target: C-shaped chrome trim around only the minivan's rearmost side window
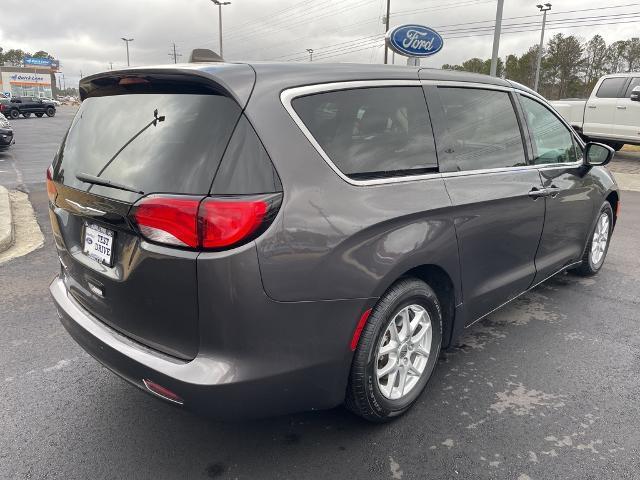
x,y
288,95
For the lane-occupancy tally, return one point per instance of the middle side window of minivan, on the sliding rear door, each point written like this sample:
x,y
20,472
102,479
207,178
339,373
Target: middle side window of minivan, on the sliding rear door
x,y
483,129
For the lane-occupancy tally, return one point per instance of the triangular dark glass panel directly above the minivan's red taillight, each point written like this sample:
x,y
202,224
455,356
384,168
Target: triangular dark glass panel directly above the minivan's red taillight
x,y
246,167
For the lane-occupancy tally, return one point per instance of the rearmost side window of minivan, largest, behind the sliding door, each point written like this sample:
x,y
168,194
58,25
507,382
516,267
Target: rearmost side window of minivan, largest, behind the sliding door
x,y
373,132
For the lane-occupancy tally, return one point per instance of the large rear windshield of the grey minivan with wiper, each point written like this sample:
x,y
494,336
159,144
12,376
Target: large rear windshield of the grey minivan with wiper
x,y
151,142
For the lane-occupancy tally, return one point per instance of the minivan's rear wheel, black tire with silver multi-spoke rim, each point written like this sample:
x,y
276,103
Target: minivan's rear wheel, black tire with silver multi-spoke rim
x,y
397,352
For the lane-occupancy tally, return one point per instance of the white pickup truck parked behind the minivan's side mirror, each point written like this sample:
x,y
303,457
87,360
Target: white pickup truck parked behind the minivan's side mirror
x,y
611,114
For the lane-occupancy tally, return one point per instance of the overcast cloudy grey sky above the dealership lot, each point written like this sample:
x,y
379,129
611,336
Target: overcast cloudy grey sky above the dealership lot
x,y
85,35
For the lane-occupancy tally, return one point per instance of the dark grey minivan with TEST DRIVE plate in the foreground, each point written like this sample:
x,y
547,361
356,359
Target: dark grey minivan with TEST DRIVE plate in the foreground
x,y
272,238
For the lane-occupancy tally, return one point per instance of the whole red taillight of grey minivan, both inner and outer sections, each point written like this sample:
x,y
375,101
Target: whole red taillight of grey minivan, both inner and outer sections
x,y
204,223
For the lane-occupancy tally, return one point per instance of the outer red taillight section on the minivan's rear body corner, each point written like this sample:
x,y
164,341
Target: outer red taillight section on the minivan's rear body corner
x,y
225,223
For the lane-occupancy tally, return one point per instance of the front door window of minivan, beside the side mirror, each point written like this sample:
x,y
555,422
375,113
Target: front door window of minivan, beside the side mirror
x,y
552,140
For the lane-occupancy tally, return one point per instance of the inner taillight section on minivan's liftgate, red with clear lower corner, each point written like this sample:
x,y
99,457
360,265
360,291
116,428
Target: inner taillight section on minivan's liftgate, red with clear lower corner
x,y
169,220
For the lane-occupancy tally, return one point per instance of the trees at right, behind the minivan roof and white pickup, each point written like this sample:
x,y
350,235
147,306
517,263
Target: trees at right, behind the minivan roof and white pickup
x,y
570,68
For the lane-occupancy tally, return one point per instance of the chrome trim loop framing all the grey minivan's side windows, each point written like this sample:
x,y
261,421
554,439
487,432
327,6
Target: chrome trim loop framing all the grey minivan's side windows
x,y
288,95
